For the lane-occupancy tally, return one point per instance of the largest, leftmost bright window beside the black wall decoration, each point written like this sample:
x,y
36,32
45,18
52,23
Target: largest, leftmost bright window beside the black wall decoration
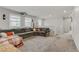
x,y
14,21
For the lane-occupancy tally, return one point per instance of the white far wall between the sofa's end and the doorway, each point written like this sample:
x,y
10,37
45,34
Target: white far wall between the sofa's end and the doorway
x,y
55,24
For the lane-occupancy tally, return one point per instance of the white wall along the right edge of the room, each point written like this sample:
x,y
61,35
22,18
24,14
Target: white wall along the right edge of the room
x,y
75,26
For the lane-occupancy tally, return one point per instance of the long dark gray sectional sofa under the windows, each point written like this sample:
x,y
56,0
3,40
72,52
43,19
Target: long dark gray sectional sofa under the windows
x,y
27,32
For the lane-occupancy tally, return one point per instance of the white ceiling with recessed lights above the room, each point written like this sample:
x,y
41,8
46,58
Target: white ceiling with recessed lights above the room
x,y
43,11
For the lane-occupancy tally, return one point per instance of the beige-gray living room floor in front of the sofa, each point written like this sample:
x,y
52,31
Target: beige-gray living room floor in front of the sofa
x,y
48,44
